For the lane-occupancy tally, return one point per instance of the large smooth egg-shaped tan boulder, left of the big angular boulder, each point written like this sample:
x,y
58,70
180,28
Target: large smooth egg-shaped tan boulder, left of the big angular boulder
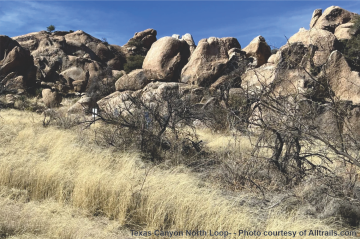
x,y
165,59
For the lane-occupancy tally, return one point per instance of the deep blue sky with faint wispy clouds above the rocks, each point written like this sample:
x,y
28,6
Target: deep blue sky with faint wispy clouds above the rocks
x,y
117,21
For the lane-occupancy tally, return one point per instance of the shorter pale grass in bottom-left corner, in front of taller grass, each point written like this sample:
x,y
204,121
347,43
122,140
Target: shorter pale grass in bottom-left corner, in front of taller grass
x,y
48,219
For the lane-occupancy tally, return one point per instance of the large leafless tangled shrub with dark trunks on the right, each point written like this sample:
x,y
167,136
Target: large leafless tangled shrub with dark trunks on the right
x,y
299,133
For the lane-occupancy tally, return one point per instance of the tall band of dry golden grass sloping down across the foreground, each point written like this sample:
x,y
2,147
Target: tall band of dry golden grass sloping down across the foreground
x,y
61,169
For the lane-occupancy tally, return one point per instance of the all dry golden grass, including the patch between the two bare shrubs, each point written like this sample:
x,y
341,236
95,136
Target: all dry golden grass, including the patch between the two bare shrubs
x,y
58,183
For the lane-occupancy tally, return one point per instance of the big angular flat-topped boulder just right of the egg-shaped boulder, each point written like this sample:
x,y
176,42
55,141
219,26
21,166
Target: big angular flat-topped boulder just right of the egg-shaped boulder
x,y
208,61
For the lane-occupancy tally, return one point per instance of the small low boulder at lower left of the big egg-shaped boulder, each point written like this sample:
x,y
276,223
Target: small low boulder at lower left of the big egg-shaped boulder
x,y
135,80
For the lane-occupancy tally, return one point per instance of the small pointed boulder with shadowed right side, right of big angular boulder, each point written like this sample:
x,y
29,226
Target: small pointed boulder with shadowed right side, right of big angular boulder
x,y
258,49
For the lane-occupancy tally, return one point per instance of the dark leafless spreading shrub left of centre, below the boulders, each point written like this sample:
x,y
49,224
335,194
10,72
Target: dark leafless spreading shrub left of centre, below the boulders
x,y
161,129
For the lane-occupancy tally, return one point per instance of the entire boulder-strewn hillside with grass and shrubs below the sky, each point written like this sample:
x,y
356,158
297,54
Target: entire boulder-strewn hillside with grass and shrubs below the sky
x,y
100,140
